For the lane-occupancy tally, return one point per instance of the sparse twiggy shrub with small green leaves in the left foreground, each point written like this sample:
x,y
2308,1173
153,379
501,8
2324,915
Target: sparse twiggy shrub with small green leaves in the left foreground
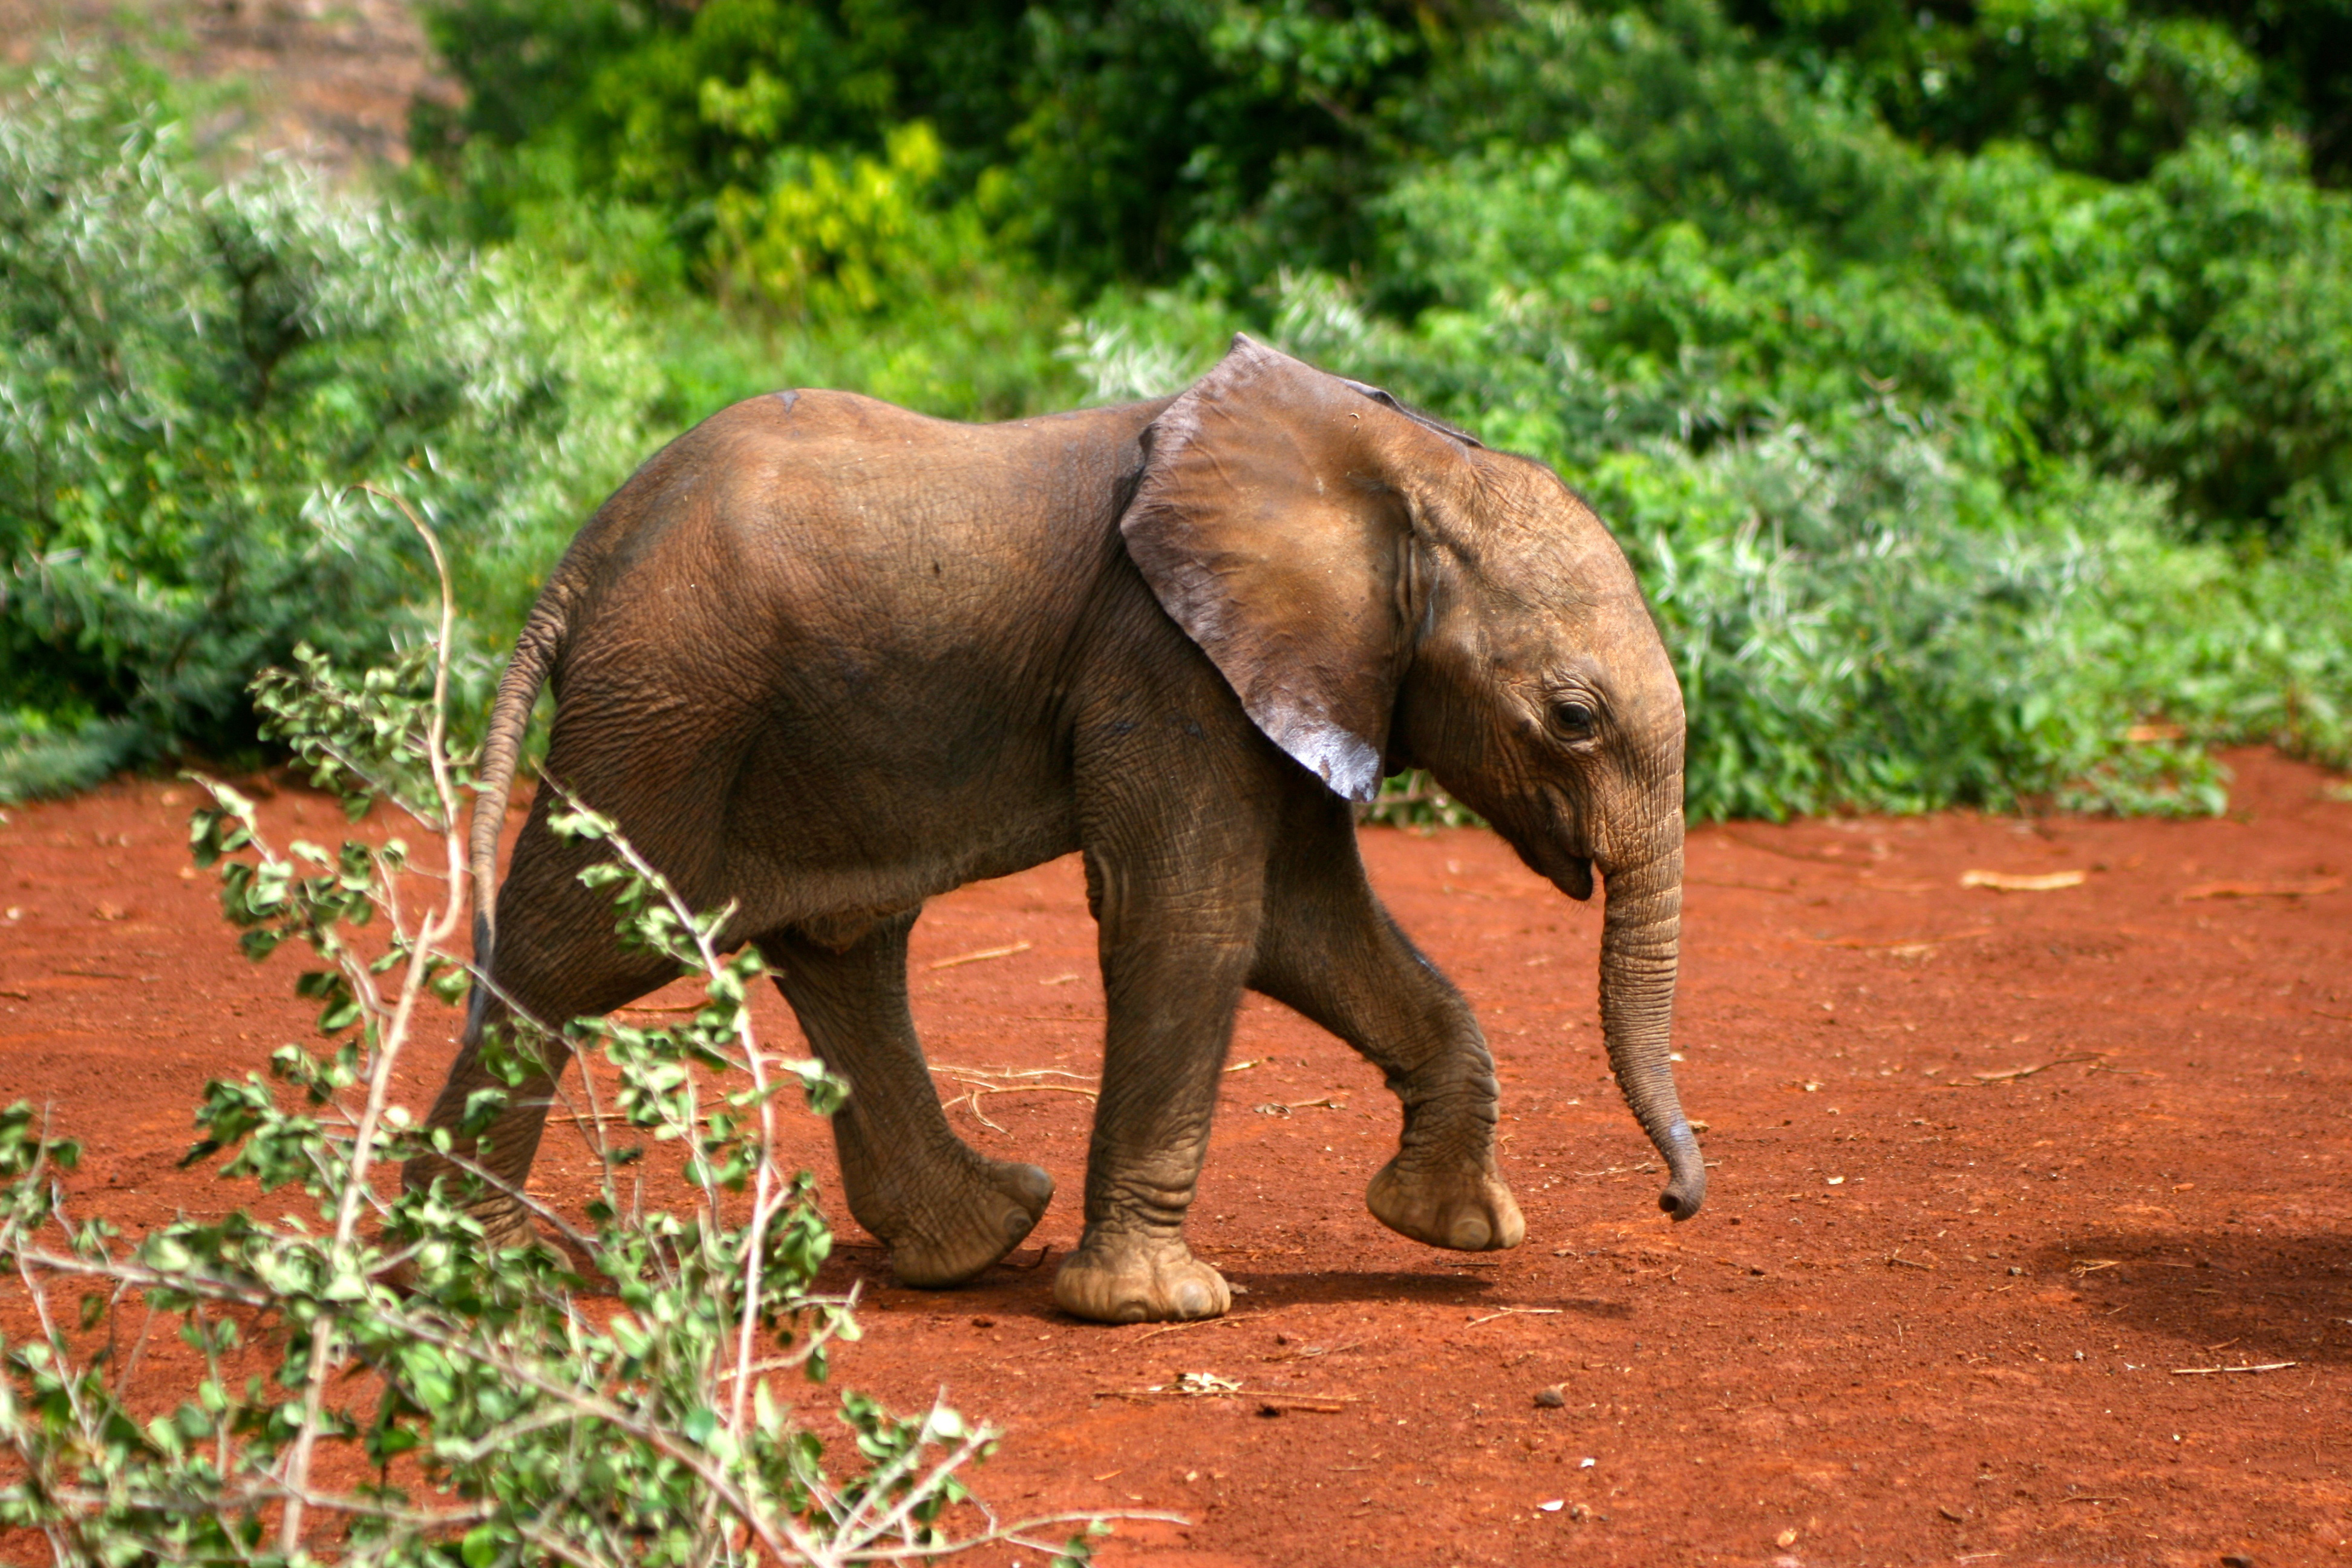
x,y
467,1402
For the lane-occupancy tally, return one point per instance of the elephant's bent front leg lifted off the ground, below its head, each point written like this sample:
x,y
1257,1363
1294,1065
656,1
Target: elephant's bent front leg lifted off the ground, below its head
x,y
1332,953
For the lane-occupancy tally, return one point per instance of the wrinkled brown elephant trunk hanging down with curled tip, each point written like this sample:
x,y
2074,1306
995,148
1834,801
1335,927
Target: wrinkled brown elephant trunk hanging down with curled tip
x,y
1641,949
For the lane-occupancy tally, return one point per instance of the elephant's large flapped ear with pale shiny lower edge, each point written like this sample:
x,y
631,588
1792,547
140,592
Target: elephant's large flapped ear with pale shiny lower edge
x,y
1274,521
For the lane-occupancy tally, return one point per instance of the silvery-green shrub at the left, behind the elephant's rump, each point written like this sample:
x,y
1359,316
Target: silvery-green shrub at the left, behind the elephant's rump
x,y
189,382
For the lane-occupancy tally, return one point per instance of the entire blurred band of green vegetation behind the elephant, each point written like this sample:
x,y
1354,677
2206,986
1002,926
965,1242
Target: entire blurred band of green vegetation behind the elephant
x,y
1970,382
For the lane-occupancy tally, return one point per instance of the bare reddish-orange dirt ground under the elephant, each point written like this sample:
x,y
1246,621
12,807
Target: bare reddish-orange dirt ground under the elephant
x,y
1937,1308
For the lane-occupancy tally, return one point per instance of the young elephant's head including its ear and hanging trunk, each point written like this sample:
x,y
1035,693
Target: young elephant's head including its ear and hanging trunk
x,y
1384,594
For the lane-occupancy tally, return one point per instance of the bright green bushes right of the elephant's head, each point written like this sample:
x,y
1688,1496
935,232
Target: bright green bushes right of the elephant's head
x,y
1944,474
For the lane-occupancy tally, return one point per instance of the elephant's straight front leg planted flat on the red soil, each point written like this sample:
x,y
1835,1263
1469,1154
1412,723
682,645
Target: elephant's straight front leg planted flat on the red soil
x,y
1175,960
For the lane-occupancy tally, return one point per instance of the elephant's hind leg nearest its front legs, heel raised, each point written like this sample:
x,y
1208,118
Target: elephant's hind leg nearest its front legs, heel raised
x,y
944,1209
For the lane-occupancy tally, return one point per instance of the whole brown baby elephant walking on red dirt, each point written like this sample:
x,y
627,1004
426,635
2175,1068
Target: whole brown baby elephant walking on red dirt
x,y
829,659
